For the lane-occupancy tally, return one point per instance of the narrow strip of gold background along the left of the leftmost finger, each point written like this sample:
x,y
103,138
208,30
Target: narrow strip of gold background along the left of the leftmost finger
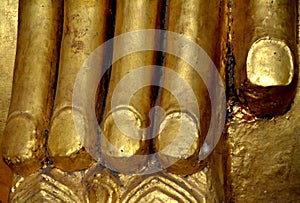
x,y
8,38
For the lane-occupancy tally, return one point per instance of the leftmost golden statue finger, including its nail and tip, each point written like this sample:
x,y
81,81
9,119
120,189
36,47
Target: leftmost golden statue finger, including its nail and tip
x,y
32,91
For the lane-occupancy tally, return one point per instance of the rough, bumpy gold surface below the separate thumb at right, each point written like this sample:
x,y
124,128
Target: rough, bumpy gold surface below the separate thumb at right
x,y
264,158
